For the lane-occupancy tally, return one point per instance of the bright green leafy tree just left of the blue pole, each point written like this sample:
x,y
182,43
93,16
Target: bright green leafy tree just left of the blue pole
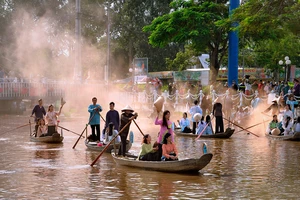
x,y
201,24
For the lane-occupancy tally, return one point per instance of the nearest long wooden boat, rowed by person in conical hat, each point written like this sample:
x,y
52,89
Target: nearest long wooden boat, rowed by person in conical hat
x,y
180,166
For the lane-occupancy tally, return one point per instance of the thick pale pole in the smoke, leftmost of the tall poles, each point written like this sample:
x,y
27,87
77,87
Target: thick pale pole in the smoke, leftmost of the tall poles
x,y
77,69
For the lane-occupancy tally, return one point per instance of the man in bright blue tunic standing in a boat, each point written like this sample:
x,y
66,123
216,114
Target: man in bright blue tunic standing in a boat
x,y
94,109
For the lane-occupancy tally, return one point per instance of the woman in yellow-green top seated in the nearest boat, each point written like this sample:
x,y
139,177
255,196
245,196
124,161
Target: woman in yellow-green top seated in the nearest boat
x,y
148,151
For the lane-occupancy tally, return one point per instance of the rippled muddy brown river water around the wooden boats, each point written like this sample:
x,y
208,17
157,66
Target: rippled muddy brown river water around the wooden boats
x,y
243,167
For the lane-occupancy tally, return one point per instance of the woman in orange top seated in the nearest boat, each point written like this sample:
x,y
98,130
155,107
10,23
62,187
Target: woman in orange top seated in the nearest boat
x,y
169,150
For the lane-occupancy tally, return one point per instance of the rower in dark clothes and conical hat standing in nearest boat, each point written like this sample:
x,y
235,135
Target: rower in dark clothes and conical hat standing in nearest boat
x,y
126,117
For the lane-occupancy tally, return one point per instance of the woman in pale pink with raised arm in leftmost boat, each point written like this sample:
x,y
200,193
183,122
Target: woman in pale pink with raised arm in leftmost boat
x,y
51,119
